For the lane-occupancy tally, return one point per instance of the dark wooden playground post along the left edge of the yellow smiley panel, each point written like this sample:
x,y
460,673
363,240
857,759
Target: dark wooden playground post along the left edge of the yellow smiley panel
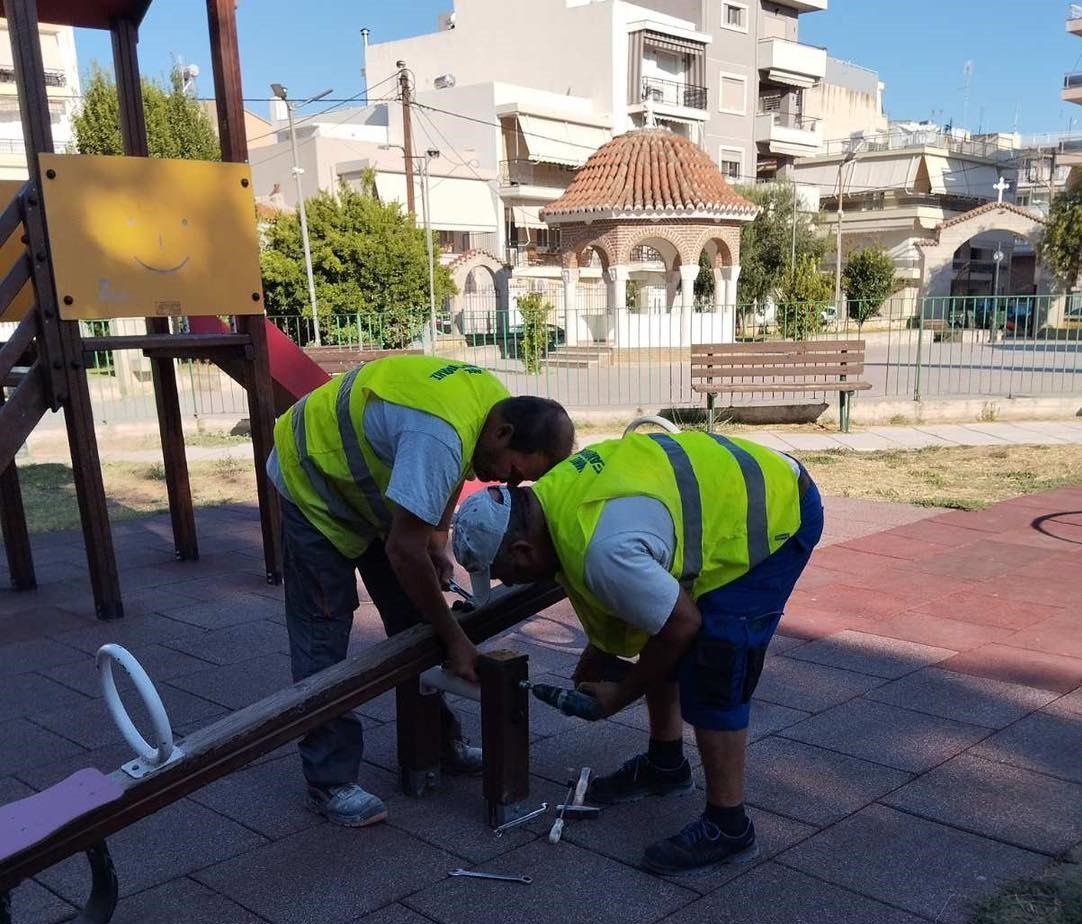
x,y
61,341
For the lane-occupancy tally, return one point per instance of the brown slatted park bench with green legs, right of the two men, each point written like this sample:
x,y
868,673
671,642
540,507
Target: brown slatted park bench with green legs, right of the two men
x,y
782,366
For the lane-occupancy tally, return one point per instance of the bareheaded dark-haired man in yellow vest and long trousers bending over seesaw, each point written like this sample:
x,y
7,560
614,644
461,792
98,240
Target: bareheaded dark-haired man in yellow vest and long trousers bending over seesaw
x,y
370,468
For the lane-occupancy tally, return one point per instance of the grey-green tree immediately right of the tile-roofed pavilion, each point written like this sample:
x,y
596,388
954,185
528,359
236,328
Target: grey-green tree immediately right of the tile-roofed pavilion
x,y
767,244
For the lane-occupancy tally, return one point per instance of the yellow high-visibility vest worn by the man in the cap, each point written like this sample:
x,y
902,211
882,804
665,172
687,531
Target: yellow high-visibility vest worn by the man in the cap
x,y
733,503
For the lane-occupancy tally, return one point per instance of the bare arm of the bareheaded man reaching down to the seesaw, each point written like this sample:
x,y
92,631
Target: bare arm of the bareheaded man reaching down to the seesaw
x,y
410,552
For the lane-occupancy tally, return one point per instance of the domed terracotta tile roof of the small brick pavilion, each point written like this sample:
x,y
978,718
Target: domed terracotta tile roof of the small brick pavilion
x,y
646,171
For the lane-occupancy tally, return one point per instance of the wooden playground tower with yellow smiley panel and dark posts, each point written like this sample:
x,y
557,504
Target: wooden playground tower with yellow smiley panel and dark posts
x,y
67,231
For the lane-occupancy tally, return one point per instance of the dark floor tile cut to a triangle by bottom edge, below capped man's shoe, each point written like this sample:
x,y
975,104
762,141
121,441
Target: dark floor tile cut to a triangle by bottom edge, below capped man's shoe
x,y
780,895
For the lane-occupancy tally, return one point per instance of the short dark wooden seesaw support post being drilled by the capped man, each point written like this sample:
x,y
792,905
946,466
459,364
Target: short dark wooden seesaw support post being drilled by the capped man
x,y
506,734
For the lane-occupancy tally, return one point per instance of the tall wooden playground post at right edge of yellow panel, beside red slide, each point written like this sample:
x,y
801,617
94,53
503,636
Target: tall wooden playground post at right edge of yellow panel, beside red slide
x,y
226,60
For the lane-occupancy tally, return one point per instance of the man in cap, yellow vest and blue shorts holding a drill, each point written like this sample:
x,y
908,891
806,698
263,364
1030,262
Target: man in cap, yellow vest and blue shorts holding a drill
x,y
682,550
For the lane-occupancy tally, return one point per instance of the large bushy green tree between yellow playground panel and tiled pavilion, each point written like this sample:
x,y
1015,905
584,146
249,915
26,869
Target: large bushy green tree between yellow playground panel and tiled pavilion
x,y
371,267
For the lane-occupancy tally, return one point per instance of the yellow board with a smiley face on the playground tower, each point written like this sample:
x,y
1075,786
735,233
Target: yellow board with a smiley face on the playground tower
x,y
146,237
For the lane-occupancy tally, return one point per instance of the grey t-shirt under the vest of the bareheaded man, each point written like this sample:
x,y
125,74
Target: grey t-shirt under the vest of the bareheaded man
x,y
425,455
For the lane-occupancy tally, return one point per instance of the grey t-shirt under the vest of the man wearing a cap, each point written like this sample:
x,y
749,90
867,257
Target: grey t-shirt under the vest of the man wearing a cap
x,y
630,557
